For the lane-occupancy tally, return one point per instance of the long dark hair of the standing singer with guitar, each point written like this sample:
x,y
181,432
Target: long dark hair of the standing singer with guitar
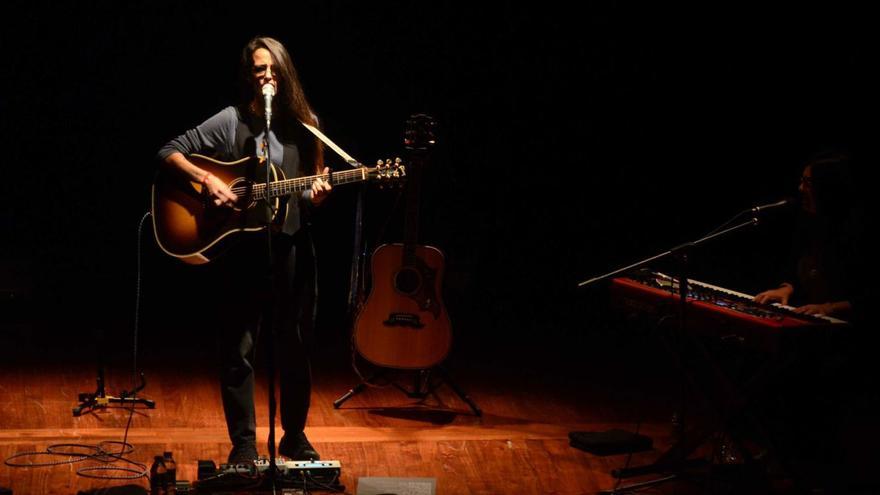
x,y
292,102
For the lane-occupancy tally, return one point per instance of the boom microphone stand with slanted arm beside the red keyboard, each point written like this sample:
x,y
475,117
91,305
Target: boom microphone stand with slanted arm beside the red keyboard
x,y
679,450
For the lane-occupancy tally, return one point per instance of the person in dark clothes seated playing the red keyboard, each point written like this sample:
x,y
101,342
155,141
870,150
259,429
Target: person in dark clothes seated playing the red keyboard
x,y
811,407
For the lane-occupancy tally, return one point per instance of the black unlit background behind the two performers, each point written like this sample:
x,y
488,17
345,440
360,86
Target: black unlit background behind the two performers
x,y
571,141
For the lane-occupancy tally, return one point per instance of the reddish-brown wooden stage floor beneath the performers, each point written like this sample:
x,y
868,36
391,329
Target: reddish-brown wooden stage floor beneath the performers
x,y
532,396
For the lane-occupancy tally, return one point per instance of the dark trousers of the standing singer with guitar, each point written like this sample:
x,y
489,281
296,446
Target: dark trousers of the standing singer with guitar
x,y
244,279
